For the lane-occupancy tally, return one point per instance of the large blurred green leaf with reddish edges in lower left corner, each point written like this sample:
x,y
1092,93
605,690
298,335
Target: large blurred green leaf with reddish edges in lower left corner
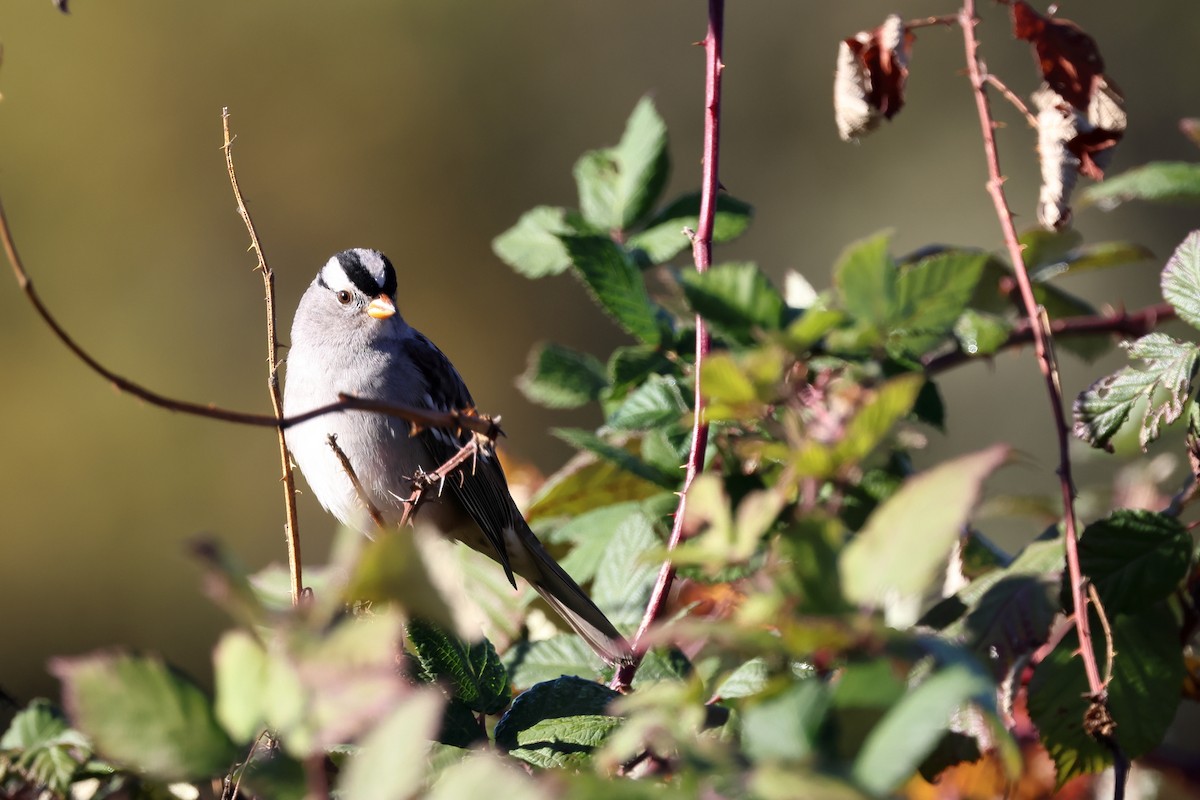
x,y
143,715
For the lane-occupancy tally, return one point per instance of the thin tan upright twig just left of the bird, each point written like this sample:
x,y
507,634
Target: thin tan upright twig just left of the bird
x,y
292,527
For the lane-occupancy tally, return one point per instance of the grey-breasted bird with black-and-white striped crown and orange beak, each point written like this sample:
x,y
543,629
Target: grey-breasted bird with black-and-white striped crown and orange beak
x,y
349,338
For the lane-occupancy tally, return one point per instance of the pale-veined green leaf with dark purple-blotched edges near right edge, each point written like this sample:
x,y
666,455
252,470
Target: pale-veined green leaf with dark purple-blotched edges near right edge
x,y
1160,389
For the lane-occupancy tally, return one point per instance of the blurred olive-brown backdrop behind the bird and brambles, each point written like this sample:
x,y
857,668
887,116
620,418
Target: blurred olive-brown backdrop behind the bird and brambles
x,y
424,130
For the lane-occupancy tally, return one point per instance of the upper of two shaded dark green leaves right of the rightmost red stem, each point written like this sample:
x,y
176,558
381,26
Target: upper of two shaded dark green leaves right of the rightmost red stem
x,y
1135,558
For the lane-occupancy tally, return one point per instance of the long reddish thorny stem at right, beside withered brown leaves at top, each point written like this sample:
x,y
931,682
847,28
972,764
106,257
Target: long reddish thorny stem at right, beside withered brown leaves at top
x,y
1042,344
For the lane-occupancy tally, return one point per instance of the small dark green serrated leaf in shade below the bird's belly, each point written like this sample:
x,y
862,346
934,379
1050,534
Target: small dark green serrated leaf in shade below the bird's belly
x,y
475,672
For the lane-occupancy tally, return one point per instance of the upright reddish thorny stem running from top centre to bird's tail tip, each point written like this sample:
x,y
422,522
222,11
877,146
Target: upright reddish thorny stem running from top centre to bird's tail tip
x,y
703,256
